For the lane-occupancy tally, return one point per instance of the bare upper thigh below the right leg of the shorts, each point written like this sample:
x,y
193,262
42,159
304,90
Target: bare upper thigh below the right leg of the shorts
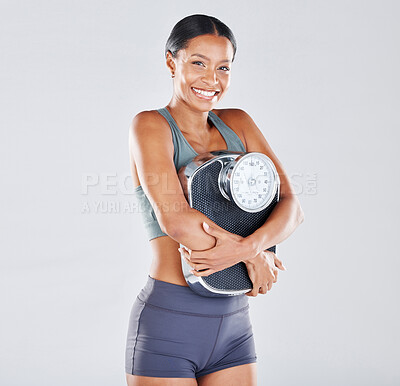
x,y
243,375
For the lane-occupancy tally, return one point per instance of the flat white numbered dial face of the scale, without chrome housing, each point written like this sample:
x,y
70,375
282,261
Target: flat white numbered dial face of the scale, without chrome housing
x,y
253,182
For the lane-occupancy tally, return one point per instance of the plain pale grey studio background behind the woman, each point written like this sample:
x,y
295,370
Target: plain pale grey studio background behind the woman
x,y
320,79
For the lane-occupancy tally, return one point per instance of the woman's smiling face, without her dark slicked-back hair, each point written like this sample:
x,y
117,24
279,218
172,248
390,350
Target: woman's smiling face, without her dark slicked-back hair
x,y
202,71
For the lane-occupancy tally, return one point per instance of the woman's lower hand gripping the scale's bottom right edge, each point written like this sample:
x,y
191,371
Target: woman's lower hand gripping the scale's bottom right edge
x,y
263,272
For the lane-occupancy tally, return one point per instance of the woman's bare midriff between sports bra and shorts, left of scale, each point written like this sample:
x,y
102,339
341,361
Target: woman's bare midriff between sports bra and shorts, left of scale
x,y
166,264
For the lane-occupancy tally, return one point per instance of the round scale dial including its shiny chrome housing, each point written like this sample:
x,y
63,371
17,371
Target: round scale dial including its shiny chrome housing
x,y
250,180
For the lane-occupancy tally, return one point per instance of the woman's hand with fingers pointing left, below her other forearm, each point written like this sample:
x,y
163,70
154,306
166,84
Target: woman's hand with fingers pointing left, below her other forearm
x,y
229,250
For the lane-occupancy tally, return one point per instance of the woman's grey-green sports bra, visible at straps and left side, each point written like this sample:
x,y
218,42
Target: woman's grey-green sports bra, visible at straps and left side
x,y
183,153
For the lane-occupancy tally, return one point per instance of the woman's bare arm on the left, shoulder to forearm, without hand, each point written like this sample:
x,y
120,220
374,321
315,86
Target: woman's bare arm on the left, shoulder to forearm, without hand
x,y
151,146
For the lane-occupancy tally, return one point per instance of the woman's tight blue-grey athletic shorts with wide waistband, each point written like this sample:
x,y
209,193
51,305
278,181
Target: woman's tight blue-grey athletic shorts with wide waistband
x,y
175,333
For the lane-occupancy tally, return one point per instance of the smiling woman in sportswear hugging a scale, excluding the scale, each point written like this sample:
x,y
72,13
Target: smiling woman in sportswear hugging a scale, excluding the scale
x,y
176,337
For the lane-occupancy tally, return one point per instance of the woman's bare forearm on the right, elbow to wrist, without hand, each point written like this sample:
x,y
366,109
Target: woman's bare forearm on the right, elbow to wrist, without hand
x,y
281,223
